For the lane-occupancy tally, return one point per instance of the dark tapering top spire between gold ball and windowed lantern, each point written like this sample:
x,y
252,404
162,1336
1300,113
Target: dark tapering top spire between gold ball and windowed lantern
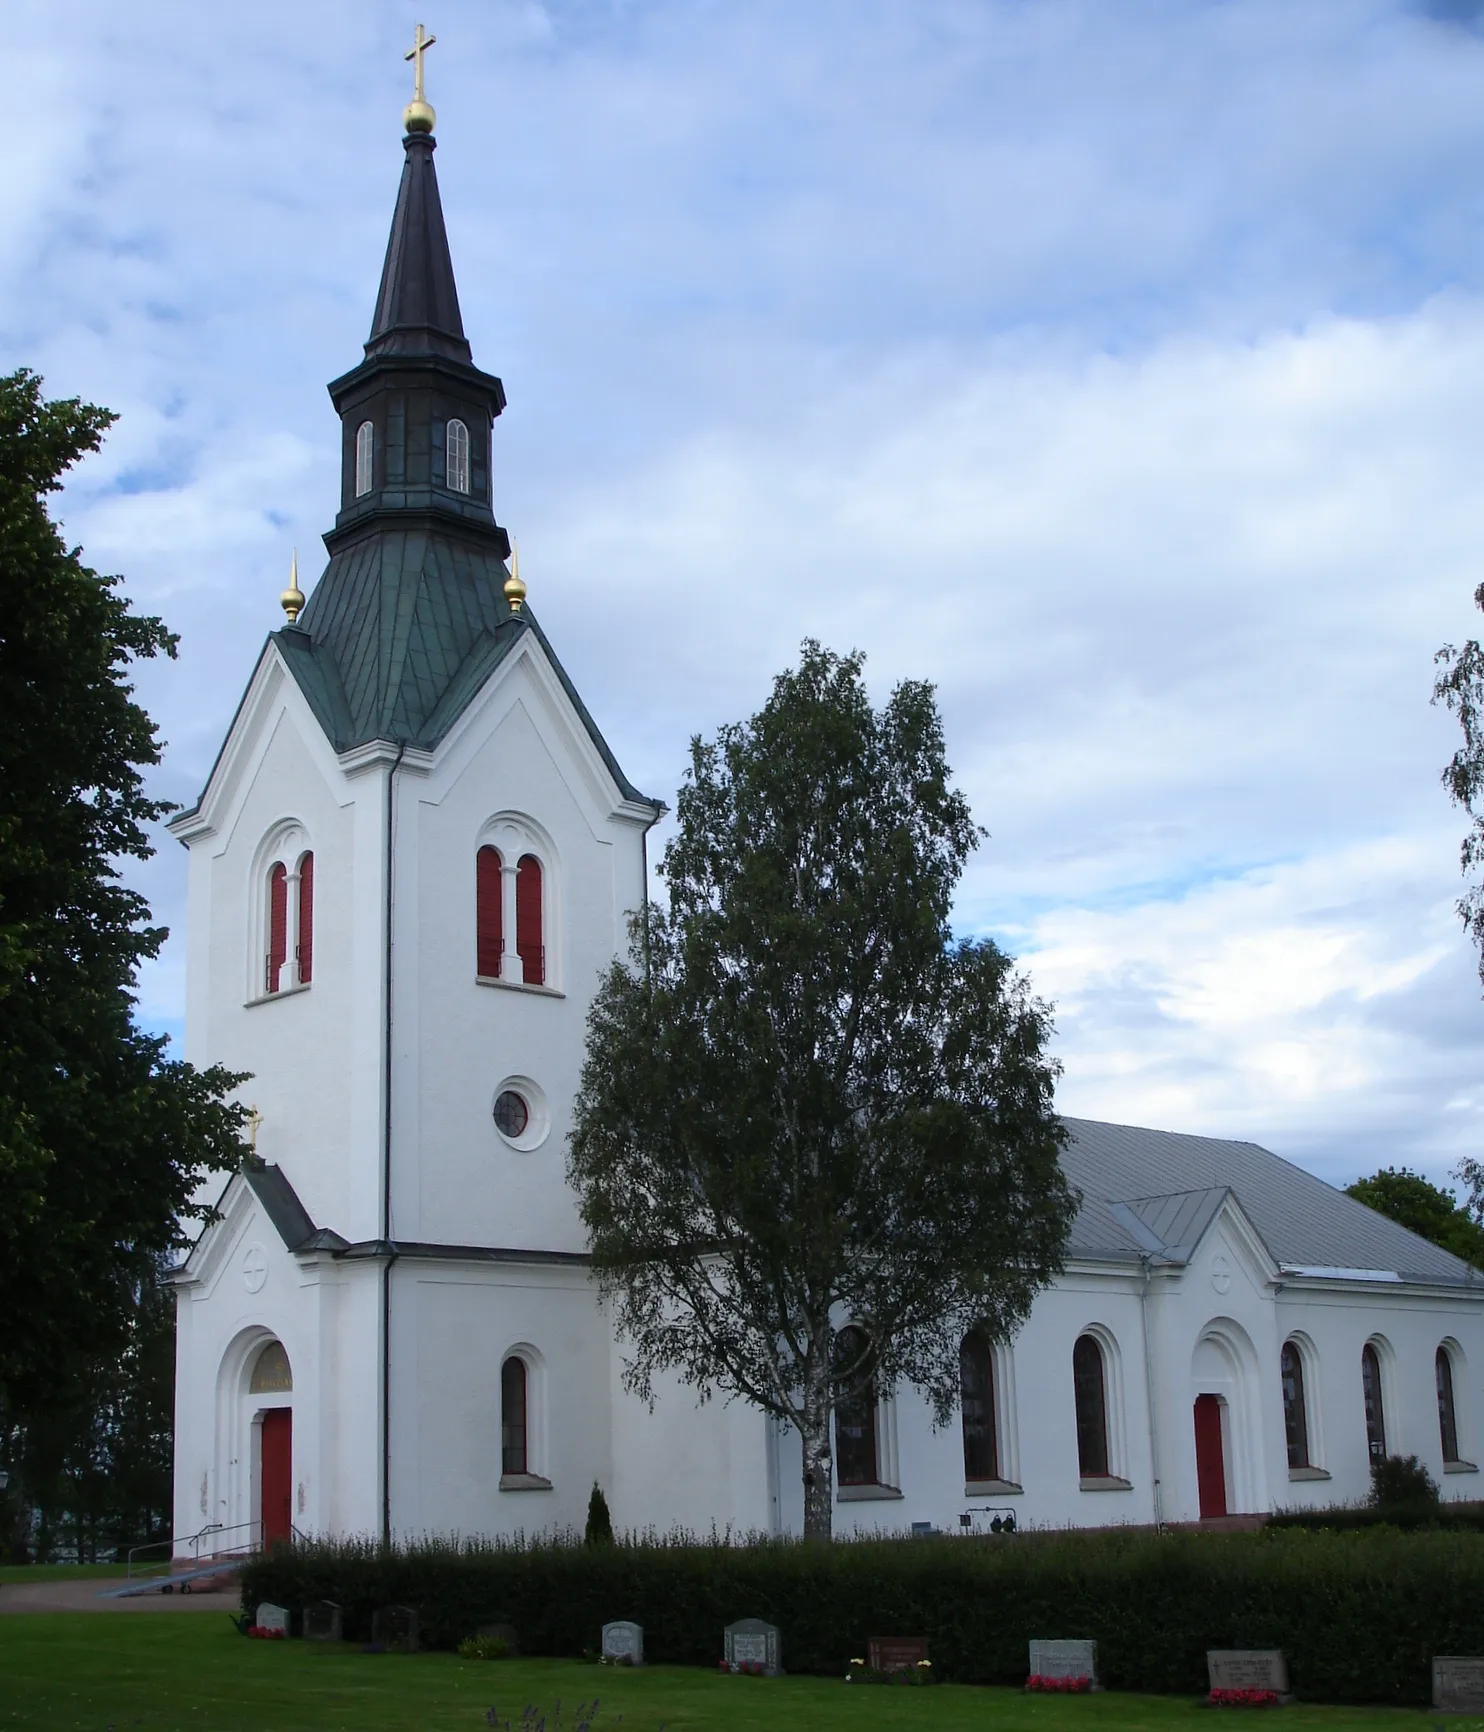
x,y
418,306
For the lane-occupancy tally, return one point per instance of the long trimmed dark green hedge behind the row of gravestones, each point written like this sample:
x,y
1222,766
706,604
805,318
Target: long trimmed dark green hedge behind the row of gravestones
x,y
1360,1615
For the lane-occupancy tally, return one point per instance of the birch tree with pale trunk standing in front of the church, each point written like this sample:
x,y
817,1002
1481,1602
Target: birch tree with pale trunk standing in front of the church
x,y
804,1104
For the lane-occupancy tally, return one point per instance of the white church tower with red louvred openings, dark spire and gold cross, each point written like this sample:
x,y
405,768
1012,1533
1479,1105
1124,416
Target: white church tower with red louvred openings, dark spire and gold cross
x,y
411,863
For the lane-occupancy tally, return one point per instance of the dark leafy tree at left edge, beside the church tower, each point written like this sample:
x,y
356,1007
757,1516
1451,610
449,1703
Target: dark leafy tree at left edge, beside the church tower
x,y
103,1135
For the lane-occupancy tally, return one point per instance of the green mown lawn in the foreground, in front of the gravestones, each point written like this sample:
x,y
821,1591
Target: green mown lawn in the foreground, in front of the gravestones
x,y
169,1674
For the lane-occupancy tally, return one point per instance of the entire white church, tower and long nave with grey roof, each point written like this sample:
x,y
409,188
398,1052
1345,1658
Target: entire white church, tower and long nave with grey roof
x,y
411,862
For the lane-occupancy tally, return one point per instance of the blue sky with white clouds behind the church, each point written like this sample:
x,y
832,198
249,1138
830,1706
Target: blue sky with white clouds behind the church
x,y
1118,370
